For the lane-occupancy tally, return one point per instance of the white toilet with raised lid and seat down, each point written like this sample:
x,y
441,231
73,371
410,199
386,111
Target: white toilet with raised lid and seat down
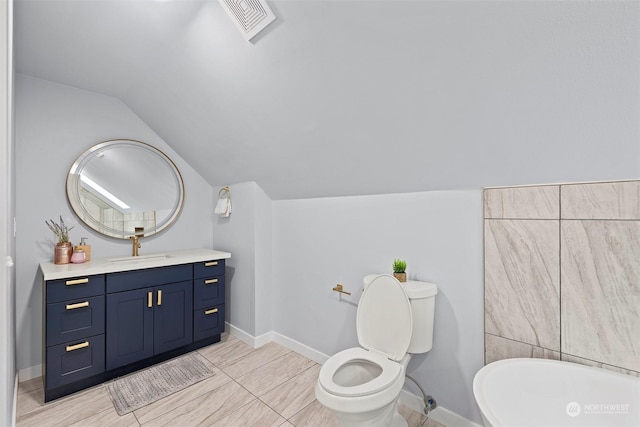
x,y
394,320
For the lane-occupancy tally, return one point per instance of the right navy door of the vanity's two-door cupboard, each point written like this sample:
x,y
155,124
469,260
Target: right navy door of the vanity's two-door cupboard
x,y
173,322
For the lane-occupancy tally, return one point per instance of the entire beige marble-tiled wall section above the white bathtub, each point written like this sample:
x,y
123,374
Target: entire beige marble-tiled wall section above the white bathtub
x,y
562,273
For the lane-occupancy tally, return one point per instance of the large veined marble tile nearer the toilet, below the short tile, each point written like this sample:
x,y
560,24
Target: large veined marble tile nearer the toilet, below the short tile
x,y
522,275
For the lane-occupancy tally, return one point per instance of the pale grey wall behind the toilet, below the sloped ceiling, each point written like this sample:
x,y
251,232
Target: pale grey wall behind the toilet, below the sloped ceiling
x,y
318,243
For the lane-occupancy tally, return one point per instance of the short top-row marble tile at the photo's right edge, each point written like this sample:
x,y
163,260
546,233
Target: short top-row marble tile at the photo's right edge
x,y
606,200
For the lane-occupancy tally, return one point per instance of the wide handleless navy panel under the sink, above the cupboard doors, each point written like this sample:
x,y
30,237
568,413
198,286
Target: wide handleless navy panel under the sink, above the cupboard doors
x,y
136,279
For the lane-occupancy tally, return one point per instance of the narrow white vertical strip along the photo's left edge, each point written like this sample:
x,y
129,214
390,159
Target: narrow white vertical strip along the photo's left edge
x,y
7,209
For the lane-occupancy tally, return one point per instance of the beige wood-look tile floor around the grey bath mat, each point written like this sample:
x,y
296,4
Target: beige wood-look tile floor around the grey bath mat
x,y
267,386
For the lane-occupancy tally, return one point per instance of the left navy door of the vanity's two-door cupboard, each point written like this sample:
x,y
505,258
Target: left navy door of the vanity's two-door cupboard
x,y
129,326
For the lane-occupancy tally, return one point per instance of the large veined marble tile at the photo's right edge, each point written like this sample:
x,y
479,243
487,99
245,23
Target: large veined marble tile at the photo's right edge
x,y
601,291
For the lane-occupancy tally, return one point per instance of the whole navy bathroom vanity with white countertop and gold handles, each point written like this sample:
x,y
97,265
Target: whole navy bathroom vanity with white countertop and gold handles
x,y
112,316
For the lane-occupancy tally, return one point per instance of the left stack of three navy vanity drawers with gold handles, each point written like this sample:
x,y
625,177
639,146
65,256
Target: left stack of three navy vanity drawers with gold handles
x,y
74,330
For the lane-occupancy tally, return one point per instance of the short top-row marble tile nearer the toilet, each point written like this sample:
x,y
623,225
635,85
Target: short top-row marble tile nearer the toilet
x,y
540,202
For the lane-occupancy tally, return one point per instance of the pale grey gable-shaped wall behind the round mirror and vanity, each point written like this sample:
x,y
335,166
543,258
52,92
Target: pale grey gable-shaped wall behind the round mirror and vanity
x,y
54,124
